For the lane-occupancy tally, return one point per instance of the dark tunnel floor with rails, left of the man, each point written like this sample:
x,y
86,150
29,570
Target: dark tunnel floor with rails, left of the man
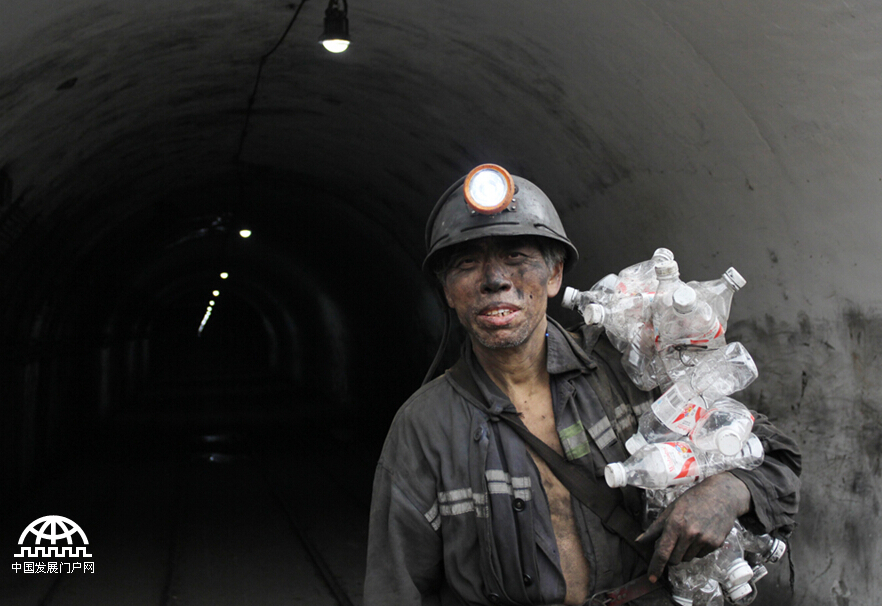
x,y
191,514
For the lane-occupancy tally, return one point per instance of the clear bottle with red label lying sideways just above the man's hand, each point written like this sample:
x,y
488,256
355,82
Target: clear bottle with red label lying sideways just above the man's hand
x,y
673,463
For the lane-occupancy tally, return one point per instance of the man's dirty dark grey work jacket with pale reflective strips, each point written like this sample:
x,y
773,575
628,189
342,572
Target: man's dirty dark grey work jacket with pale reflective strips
x,y
459,514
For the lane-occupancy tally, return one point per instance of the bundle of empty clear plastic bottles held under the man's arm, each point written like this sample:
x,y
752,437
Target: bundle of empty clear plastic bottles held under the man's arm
x,y
672,336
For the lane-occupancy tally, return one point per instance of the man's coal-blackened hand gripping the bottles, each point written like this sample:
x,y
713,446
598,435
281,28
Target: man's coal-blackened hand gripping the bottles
x,y
697,522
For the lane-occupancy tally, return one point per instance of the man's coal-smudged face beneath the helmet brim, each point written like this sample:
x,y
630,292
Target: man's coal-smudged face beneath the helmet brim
x,y
499,287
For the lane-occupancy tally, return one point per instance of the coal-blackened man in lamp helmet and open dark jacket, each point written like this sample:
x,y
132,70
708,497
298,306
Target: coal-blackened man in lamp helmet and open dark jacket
x,y
466,509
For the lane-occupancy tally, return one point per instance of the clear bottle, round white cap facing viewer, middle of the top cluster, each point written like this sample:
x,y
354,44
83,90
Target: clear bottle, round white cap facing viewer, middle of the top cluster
x,y
688,323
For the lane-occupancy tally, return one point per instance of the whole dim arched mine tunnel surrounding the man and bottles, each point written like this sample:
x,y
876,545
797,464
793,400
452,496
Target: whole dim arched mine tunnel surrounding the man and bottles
x,y
204,404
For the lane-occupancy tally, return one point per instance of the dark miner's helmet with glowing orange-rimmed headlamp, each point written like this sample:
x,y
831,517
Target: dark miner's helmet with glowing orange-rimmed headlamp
x,y
489,201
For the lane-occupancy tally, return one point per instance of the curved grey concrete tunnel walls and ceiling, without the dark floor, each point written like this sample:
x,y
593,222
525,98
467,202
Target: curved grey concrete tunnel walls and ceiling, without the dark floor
x,y
732,133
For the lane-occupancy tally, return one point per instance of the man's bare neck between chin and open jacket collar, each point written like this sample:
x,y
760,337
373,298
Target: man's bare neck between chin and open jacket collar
x,y
513,369
